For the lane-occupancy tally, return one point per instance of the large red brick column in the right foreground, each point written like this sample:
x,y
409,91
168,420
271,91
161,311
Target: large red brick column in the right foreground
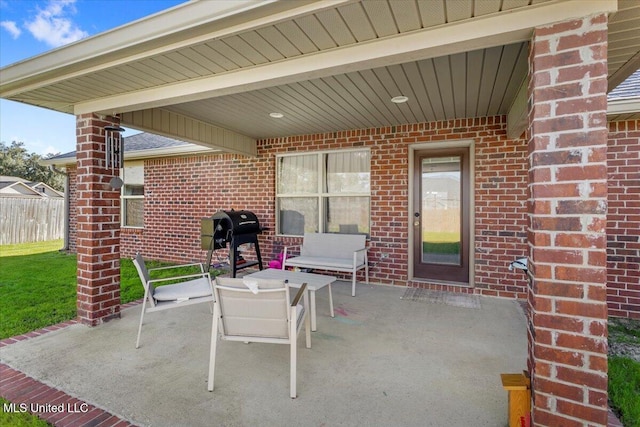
x,y
567,220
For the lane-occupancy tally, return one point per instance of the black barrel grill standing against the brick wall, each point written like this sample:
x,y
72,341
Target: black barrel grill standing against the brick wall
x,y
233,228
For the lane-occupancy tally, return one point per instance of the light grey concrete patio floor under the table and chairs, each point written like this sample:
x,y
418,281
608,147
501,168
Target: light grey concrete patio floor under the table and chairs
x,y
383,360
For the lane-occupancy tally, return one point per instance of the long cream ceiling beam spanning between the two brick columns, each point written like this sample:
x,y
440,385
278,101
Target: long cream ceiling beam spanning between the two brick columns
x,y
478,33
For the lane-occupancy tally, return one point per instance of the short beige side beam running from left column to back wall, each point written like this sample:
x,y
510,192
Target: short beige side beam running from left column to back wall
x,y
178,126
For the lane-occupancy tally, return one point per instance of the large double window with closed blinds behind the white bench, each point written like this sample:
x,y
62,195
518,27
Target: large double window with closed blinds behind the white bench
x,y
326,192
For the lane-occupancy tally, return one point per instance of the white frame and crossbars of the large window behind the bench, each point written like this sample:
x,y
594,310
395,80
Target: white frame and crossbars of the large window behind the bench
x,y
320,194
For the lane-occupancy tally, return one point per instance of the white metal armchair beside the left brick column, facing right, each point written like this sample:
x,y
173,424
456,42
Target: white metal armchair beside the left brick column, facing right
x,y
190,289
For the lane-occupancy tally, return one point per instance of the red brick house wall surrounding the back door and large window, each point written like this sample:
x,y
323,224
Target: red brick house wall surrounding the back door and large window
x,y
500,199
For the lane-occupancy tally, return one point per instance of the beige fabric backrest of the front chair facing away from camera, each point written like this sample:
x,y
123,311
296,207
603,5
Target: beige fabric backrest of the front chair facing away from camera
x,y
244,313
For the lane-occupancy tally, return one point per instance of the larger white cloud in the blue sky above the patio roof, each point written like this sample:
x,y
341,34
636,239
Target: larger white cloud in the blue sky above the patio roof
x,y
53,25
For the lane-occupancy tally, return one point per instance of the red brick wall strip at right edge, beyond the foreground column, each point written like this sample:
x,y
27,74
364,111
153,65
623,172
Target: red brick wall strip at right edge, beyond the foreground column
x,y
623,220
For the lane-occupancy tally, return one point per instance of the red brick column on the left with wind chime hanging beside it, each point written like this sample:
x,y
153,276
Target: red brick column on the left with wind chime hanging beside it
x,y
98,225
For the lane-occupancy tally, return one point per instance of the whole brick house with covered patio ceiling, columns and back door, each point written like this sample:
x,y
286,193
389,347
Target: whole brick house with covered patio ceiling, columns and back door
x,y
341,113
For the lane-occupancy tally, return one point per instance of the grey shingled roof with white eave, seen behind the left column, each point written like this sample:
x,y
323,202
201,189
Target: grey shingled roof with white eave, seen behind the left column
x,y
141,146
